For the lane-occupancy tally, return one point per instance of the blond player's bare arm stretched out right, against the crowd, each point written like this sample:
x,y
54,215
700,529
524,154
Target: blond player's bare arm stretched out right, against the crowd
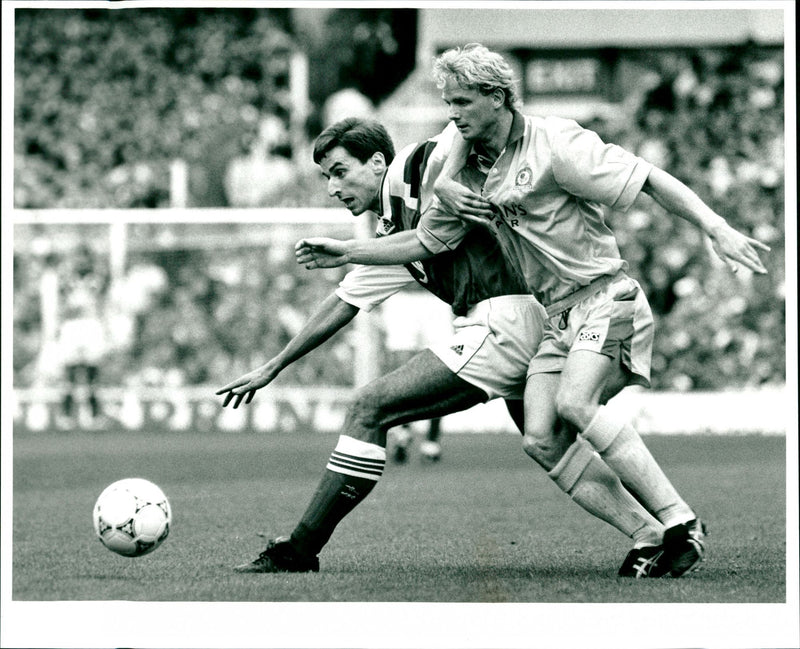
x,y
731,246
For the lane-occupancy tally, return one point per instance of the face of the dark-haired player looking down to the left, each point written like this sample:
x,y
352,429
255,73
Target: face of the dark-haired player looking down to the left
x,y
355,183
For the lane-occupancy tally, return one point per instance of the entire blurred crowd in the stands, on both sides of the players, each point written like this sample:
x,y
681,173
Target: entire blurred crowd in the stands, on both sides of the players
x,y
103,106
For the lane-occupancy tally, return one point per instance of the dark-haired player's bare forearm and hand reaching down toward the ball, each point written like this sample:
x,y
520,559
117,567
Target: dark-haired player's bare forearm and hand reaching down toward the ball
x,y
332,315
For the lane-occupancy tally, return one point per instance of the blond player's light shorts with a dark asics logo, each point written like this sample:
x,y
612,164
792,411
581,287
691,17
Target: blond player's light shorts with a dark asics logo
x,y
616,322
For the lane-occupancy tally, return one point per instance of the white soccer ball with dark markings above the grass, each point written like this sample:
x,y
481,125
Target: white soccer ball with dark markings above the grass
x,y
132,517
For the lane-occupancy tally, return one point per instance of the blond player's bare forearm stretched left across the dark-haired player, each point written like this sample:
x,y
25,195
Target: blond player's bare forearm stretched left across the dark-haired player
x,y
322,252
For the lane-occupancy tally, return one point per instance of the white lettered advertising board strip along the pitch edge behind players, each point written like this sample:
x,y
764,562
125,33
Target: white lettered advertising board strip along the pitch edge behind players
x,y
763,410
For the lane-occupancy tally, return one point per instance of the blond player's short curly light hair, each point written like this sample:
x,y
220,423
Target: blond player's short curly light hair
x,y
476,67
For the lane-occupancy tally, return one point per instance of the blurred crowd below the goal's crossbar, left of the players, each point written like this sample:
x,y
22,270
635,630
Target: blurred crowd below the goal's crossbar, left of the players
x,y
182,317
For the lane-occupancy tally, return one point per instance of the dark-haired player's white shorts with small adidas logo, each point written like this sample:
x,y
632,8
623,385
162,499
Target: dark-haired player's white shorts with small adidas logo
x,y
494,343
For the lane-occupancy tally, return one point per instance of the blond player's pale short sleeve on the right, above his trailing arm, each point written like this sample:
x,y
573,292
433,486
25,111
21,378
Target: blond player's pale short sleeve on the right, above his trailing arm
x,y
587,167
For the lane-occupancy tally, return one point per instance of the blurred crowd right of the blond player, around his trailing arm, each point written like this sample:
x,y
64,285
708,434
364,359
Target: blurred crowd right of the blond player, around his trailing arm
x,y
714,119
